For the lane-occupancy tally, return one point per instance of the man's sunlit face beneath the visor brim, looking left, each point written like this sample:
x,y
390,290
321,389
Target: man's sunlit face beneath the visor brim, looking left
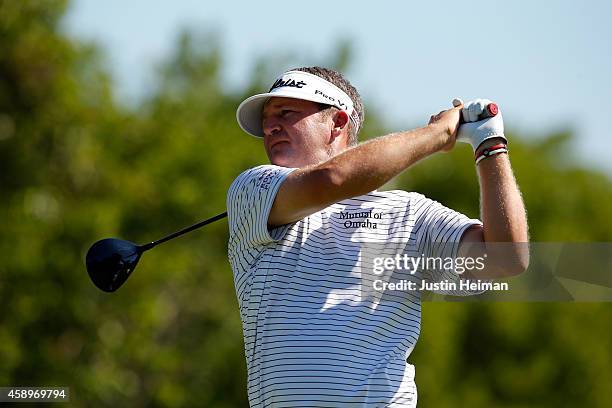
x,y
297,133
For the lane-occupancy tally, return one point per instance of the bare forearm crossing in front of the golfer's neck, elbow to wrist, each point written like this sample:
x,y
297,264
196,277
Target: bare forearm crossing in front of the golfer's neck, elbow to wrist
x,y
368,166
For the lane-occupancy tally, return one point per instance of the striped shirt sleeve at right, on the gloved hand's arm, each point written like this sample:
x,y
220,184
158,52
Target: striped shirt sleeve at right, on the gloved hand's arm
x,y
439,232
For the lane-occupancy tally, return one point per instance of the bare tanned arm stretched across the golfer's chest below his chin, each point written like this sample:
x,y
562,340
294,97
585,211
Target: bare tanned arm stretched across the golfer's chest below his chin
x,y
360,169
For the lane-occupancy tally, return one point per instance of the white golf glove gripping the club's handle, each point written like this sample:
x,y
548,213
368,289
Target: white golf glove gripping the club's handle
x,y
474,131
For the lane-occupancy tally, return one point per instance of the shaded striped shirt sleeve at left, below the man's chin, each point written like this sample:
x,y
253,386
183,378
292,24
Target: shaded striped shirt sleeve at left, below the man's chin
x,y
249,201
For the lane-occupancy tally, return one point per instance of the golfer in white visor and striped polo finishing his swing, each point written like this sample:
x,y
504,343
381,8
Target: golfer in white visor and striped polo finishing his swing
x,y
300,225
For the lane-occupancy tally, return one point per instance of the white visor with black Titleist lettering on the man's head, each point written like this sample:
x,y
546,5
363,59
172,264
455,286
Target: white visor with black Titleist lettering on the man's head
x,y
298,85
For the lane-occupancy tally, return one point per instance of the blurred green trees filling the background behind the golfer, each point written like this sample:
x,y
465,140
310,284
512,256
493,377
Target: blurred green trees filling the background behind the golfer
x,y
77,165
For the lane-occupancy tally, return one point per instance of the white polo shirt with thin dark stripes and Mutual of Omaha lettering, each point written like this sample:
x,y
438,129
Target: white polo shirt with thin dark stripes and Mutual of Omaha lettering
x,y
311,339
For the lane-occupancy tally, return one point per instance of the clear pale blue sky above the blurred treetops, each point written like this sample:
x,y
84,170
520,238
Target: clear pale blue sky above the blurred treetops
x,y
548,64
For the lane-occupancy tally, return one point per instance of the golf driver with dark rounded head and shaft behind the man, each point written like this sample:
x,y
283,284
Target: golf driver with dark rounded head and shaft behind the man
x,y
110,261
